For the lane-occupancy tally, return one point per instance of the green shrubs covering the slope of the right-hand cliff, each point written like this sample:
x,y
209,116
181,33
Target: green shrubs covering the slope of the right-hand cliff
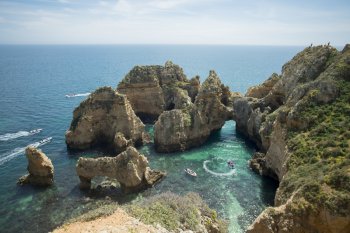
x,y
320,161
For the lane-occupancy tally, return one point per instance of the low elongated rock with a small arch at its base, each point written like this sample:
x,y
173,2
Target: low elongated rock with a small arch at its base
x,y
130,168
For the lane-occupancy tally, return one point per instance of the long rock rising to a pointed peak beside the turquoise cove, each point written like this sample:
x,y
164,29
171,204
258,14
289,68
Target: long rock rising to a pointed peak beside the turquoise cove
x,y
180,129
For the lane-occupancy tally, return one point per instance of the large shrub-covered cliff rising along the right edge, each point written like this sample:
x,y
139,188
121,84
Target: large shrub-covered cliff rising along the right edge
x,y
300,121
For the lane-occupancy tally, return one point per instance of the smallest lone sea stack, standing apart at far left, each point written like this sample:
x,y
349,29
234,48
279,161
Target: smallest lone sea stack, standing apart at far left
x,y
40,169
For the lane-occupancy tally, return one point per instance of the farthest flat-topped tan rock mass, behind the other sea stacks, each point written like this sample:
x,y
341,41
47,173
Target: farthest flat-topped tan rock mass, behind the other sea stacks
x,y
154,89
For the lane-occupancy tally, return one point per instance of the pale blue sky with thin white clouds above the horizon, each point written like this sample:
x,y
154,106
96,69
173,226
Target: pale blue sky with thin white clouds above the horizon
x,y
219,22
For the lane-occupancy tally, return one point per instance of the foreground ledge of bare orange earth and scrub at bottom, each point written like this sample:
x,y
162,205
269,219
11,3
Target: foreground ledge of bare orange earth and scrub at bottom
x,y
164,213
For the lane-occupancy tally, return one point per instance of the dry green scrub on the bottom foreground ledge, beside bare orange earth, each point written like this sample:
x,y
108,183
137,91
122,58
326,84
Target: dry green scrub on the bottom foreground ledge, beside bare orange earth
x,y
175,212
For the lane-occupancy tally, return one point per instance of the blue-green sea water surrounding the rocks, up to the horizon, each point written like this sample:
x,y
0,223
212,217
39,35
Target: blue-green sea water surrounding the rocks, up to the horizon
x,y
33,83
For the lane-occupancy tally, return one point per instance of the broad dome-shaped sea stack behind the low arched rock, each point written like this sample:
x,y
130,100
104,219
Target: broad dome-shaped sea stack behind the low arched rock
x,y
105,118
